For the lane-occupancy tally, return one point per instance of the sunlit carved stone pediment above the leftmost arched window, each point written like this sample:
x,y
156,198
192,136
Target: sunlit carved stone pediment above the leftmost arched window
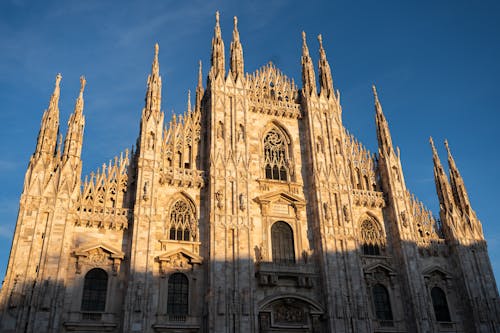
x,y
98,255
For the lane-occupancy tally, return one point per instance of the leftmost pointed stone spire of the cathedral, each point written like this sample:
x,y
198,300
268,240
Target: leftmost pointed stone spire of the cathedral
x,y
49,128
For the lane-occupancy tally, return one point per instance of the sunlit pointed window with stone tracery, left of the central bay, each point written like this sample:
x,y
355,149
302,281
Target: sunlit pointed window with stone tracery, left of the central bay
x,y
182,219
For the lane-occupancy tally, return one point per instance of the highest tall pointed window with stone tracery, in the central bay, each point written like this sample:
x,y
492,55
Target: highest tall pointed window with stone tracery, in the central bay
x,y
276,163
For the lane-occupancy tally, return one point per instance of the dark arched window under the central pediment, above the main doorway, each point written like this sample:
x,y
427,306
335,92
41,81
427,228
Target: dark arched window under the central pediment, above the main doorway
x,y
282,243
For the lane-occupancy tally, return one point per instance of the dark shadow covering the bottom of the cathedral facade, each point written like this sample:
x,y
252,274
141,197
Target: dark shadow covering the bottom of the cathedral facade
x,y
346,291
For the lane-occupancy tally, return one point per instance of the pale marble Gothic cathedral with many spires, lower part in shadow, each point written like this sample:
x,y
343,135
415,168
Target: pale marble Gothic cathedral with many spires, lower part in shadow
x,y
254,211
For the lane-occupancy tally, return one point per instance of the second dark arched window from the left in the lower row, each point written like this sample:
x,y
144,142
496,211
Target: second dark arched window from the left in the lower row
x,y
178,294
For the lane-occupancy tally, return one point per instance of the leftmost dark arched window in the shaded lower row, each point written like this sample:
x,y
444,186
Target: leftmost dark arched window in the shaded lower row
x,y
94,290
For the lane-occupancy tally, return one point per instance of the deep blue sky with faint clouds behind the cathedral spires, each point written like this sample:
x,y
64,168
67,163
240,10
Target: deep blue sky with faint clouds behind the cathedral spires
x,y
435,63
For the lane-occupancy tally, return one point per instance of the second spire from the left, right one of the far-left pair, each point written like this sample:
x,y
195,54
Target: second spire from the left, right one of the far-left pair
x,y
76,123
